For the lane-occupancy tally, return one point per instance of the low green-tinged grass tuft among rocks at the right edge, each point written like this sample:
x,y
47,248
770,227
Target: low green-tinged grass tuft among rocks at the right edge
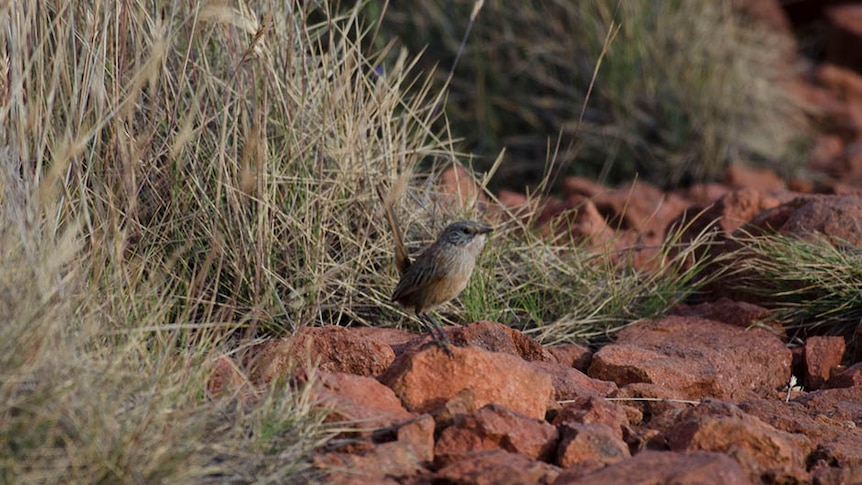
x,y
813,283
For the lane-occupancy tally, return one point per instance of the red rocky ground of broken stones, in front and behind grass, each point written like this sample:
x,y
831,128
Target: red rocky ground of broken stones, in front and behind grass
x,y
700,396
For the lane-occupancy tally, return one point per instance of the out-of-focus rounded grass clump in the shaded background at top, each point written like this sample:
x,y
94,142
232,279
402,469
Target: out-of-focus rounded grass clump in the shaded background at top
x,y
684,88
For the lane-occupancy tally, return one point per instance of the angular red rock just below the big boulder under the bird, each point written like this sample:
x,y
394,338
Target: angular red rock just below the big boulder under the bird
x,y
494,427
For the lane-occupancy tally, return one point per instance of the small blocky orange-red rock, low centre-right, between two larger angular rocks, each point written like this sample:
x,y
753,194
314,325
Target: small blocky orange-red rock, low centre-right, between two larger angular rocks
x,y
590,442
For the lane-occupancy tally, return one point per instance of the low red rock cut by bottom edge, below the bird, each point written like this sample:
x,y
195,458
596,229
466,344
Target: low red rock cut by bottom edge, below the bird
x,y
496,467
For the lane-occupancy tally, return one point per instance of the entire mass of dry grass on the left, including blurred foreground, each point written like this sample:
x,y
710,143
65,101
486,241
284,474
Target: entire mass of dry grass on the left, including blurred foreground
x,y
173,174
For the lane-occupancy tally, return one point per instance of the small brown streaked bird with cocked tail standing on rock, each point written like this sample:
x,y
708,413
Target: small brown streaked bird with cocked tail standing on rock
x,y
440,273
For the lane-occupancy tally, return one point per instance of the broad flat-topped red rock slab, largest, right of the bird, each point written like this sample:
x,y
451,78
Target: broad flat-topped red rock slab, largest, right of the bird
x,y
696,357
